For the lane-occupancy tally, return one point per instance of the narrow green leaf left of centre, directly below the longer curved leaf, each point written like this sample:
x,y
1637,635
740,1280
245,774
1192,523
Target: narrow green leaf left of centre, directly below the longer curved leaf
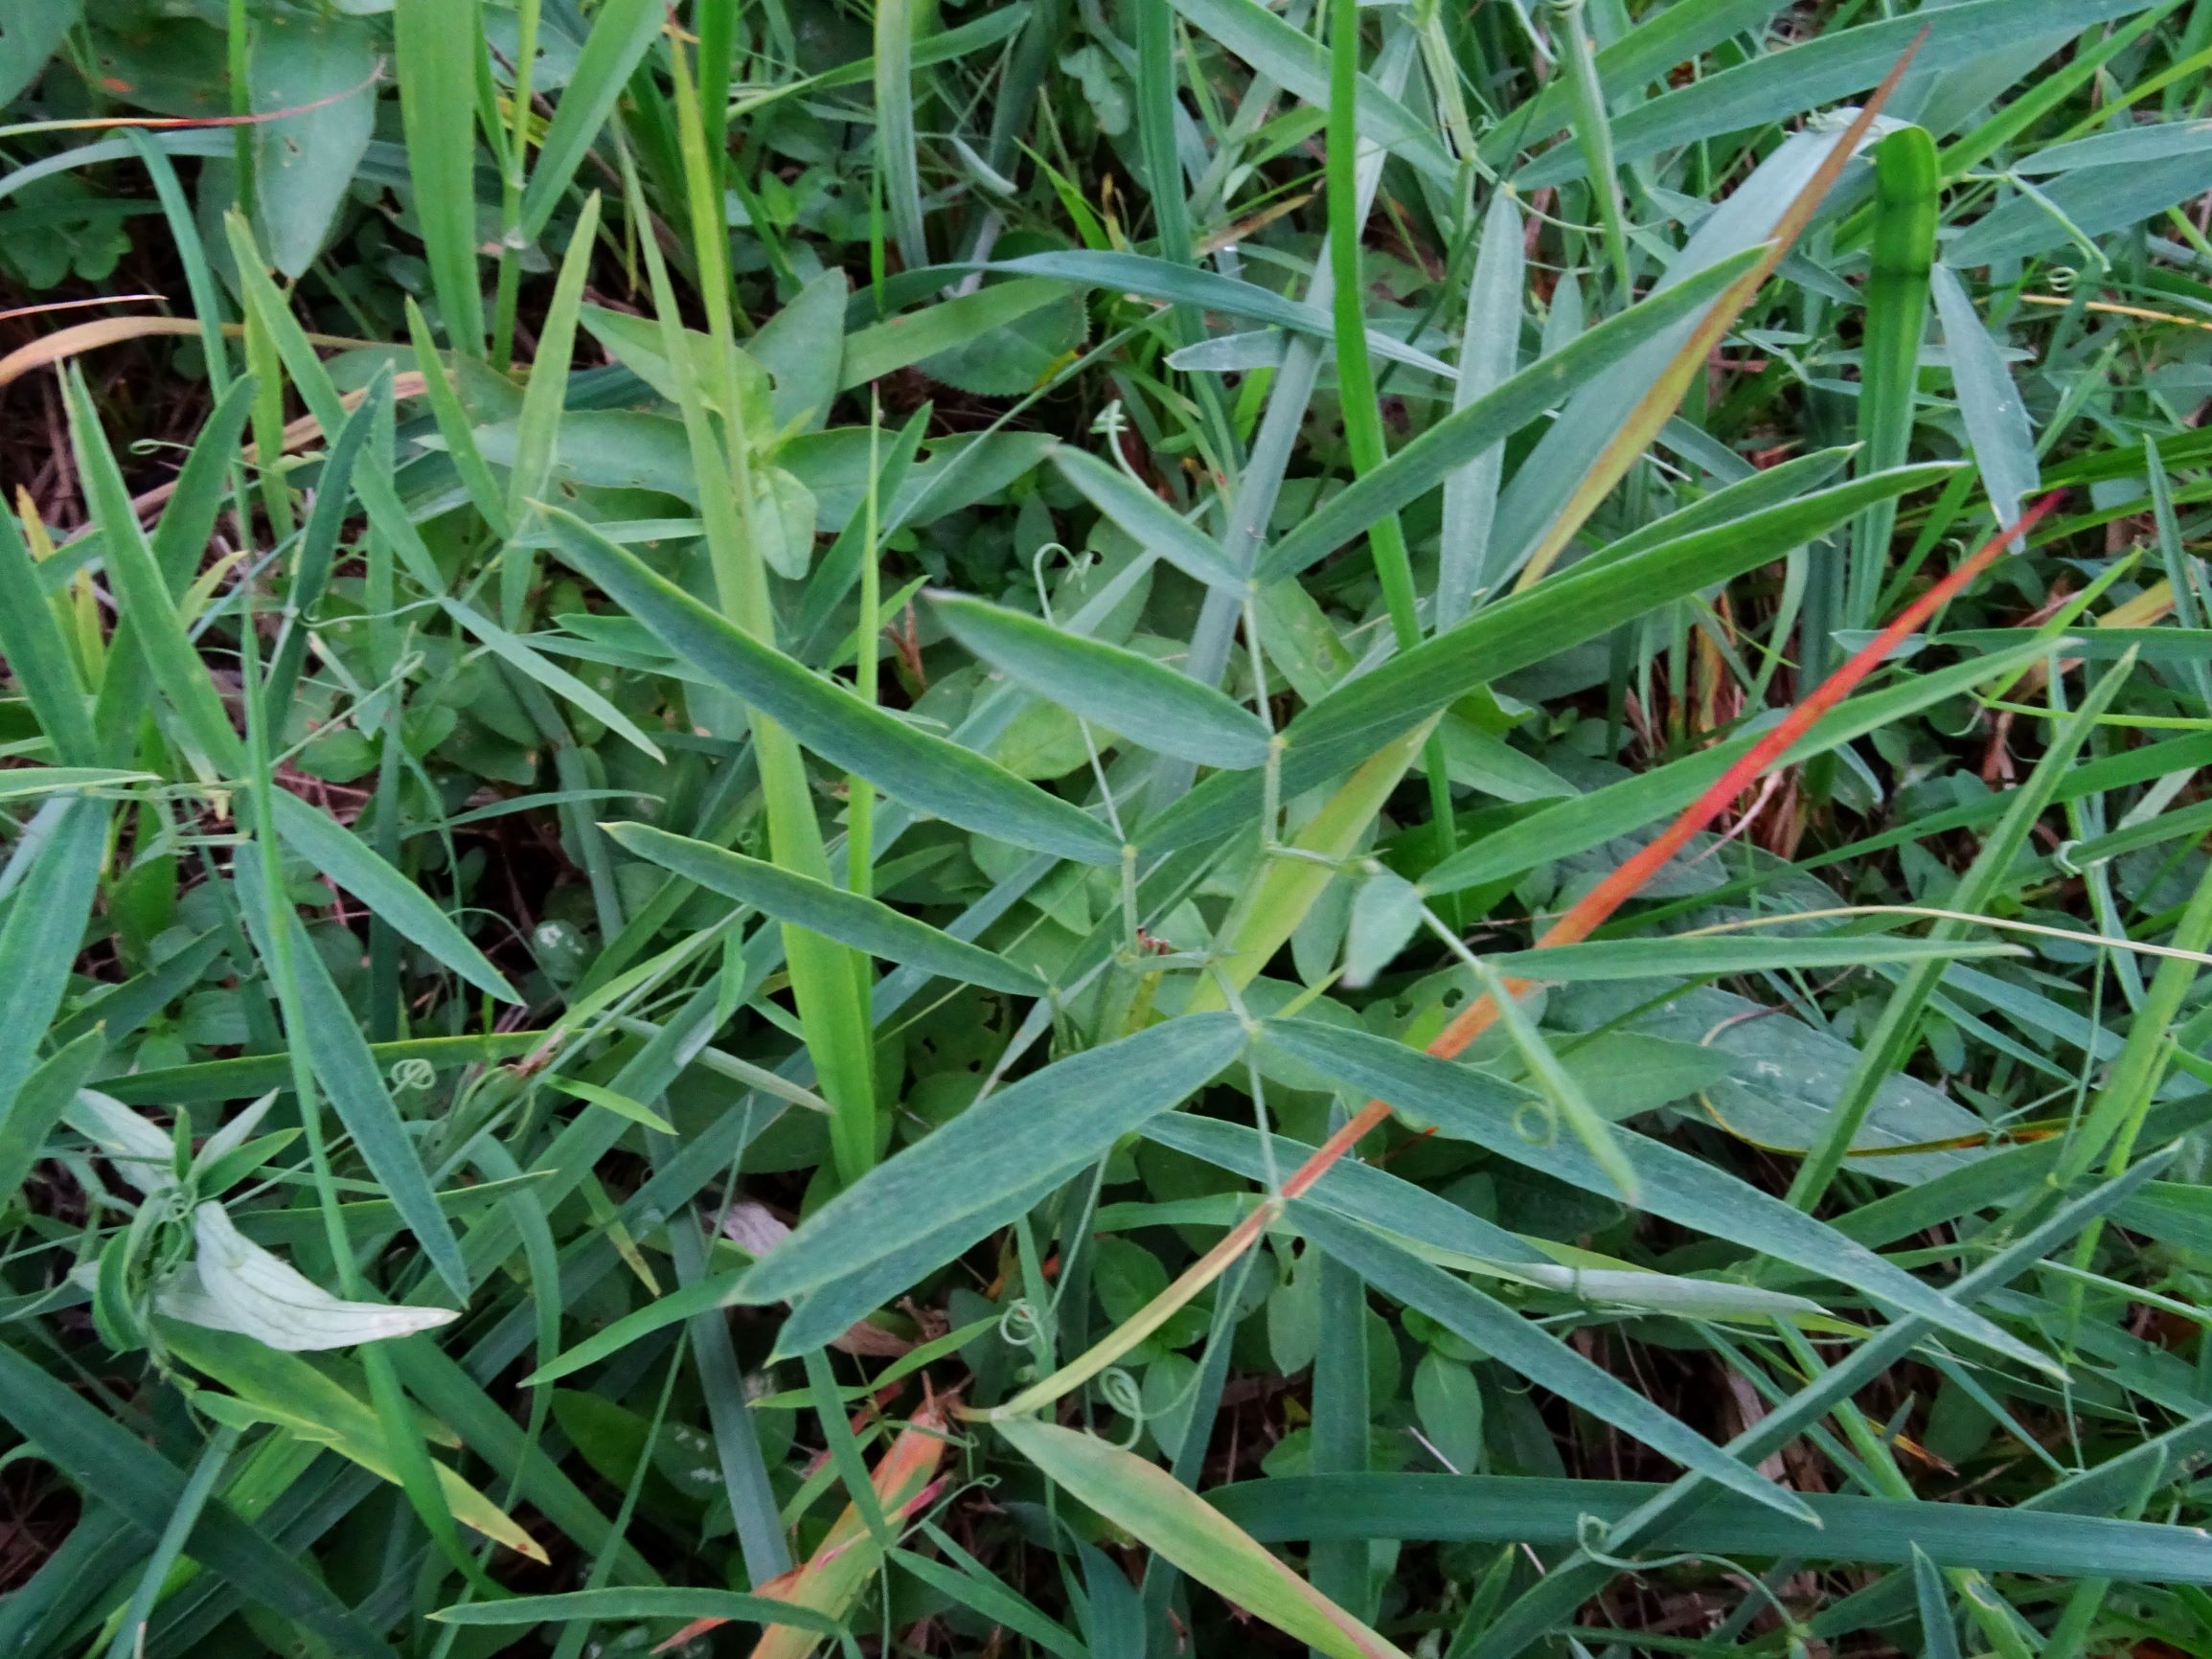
x,y
853,919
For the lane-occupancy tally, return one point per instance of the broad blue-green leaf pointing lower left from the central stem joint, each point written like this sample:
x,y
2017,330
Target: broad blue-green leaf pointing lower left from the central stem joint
x,y
1054,1120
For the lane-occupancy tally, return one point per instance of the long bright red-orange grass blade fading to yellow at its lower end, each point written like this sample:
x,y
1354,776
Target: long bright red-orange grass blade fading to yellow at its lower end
x,y
1576,926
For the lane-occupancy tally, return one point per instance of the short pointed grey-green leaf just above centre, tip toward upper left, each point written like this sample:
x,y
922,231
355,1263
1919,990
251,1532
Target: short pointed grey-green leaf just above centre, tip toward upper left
x,y
1120,689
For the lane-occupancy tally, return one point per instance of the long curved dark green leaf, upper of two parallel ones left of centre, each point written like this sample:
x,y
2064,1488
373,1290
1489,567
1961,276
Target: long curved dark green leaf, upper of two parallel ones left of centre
x,y
908,764
